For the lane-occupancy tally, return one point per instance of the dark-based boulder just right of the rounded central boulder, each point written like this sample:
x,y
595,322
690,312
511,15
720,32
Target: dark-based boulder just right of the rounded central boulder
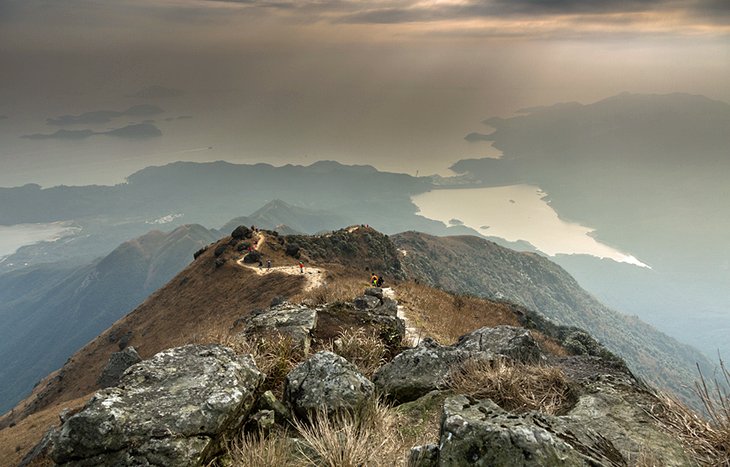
x,y
417,371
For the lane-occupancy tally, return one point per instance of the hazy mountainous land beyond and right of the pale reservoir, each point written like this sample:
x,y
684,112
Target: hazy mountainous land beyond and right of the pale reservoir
x,y
649,173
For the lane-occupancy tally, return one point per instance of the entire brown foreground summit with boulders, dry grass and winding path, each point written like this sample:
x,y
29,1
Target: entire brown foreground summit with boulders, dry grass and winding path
x,y
230,364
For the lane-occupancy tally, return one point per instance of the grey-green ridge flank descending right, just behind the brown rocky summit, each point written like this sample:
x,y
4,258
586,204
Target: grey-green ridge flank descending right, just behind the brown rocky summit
x,y
472,265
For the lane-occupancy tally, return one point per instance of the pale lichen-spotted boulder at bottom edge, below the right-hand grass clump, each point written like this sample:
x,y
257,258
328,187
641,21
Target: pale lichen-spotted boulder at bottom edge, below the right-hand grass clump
x,y
480,433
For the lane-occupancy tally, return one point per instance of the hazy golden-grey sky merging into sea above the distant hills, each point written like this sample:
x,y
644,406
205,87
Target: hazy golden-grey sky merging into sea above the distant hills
x,y
394,84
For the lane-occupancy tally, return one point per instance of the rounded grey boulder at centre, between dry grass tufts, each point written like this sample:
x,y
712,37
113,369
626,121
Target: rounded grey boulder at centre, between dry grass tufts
x,y
325,382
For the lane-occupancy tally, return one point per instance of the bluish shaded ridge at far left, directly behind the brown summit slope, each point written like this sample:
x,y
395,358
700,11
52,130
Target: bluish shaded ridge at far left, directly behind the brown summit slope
x,y
50,311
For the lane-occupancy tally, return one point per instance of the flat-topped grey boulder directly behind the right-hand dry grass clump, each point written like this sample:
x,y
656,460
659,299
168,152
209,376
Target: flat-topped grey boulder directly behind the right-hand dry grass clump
x,y
513,342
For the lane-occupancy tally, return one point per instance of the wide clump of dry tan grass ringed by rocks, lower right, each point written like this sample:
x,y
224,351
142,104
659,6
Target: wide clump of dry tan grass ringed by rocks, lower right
x,y
514,386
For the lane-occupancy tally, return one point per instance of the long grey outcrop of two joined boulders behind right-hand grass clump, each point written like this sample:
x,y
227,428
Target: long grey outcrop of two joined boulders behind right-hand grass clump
x,y
426,367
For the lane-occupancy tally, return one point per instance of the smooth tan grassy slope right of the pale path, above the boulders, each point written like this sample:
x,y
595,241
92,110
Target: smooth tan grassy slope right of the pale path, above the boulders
x,y
445,317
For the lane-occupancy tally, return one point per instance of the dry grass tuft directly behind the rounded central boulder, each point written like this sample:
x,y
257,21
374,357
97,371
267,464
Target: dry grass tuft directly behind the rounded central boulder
x,y
361,347
